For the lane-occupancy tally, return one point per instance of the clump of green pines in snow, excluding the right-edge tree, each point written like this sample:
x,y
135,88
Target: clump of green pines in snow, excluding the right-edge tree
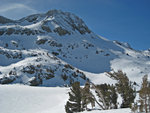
x,y
104,95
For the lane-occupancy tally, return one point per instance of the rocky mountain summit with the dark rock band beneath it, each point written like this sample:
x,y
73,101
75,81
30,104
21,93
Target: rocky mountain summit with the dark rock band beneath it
x,y
54,21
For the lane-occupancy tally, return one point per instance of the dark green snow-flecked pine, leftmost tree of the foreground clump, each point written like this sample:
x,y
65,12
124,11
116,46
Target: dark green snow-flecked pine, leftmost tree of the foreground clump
x,y
74,103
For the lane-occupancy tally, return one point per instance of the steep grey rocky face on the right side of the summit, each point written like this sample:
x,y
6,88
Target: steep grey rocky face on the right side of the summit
x,y
68,21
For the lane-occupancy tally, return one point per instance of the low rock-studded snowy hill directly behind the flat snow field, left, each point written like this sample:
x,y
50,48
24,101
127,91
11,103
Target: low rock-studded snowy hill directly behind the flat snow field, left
x,y
38,67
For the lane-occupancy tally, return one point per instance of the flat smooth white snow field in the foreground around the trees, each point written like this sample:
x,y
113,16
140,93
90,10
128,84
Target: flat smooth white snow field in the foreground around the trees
x,y
27,99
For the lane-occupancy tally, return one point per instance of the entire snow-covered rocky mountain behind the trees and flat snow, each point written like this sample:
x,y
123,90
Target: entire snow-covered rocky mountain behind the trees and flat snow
x,y
57,48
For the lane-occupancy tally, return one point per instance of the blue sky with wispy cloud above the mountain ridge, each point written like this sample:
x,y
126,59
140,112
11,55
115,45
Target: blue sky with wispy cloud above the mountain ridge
x,y
122,20
